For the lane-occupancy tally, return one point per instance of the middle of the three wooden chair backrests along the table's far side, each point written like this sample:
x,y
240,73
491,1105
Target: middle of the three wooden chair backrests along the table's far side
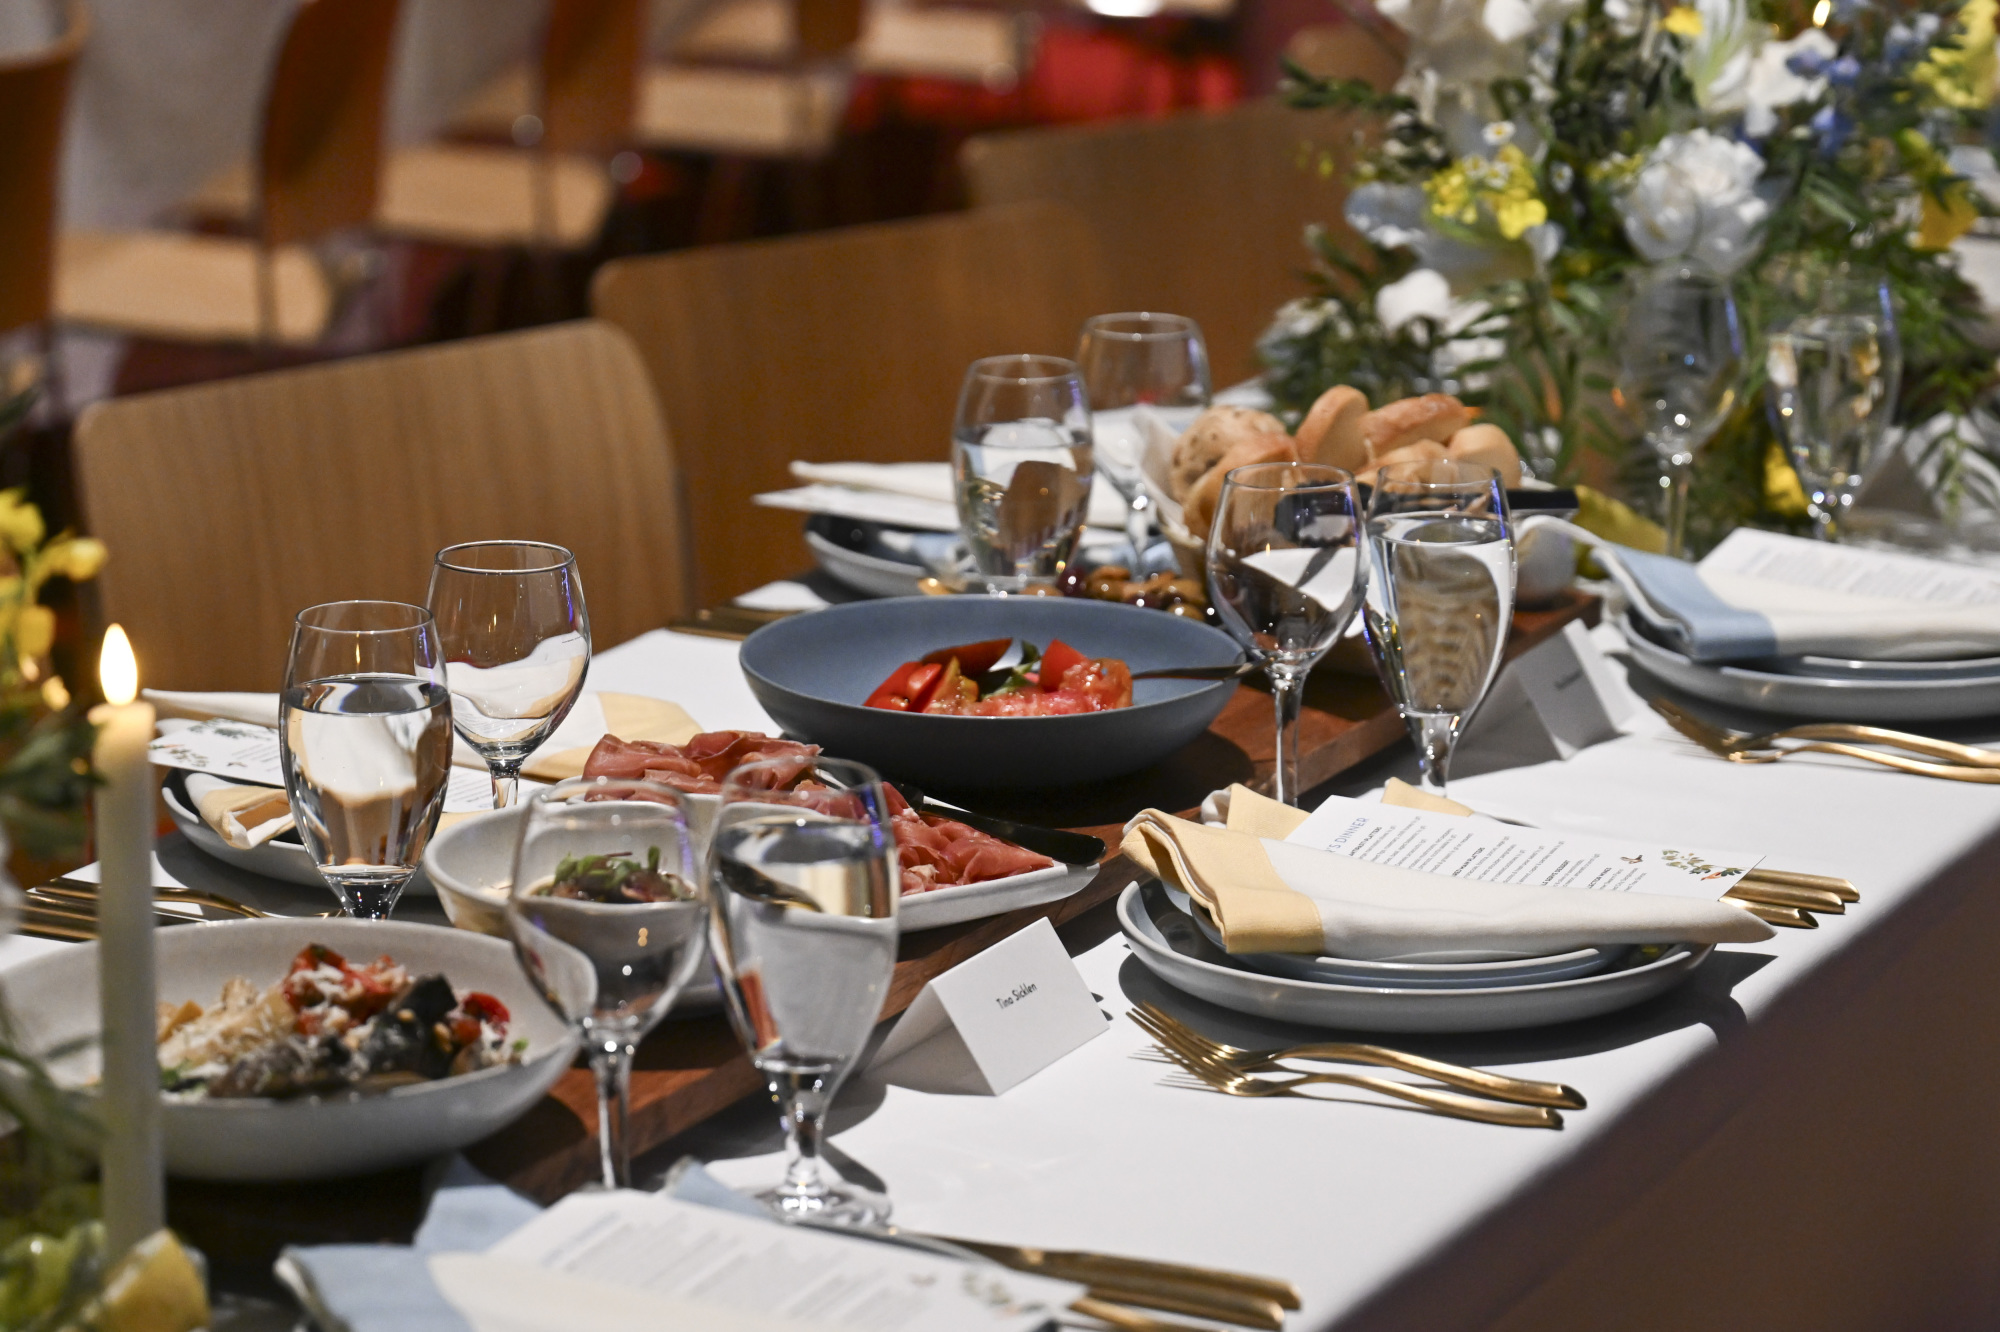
x,y
831,347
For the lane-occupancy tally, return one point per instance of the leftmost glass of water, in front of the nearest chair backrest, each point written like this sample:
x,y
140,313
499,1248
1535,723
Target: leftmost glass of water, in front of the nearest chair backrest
x,y
367,745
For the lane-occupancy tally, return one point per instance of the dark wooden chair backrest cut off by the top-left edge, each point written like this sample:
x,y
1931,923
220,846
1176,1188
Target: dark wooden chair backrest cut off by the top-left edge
x,y
35,93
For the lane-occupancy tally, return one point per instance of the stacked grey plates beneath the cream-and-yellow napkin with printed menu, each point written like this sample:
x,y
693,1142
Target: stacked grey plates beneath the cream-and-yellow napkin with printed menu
x,y
1393,997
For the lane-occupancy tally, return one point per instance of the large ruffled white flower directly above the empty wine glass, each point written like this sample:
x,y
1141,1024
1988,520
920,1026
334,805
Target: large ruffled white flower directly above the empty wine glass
x,y
1697,201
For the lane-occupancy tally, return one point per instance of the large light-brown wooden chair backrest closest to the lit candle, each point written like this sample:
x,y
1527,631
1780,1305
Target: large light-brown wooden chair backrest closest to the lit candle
x,y
231,507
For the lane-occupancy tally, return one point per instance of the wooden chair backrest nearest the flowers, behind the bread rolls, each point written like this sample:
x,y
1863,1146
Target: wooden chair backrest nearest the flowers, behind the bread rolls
x,y
1199,215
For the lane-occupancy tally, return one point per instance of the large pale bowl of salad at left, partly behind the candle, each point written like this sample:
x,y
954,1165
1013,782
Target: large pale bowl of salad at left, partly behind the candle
x,y
55,1003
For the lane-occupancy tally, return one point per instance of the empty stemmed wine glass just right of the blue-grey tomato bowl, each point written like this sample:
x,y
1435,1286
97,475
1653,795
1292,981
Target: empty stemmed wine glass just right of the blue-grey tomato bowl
x,y
1285,575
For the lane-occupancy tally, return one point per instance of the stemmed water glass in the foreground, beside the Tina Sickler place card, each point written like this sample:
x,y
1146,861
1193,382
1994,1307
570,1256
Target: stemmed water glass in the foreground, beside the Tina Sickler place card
x,y
803,907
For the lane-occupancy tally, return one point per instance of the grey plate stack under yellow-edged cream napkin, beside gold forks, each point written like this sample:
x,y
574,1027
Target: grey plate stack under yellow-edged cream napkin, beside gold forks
x,y
1171,947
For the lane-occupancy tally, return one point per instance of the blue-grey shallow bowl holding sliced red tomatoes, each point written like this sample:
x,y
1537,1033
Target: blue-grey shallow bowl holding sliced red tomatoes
x,y
813,673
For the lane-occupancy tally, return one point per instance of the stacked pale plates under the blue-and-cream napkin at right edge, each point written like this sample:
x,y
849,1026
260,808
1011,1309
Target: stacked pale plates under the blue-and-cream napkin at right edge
x,y
1827,699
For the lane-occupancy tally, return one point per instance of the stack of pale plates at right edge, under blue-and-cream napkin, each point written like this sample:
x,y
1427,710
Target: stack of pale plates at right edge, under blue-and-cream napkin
x,y
1829,689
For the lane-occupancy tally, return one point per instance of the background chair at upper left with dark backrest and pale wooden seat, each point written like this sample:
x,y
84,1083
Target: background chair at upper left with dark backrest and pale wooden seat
x,y
315,175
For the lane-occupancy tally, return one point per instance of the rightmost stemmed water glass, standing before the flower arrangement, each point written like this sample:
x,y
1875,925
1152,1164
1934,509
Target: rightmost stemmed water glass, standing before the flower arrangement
x,y
1831,391
